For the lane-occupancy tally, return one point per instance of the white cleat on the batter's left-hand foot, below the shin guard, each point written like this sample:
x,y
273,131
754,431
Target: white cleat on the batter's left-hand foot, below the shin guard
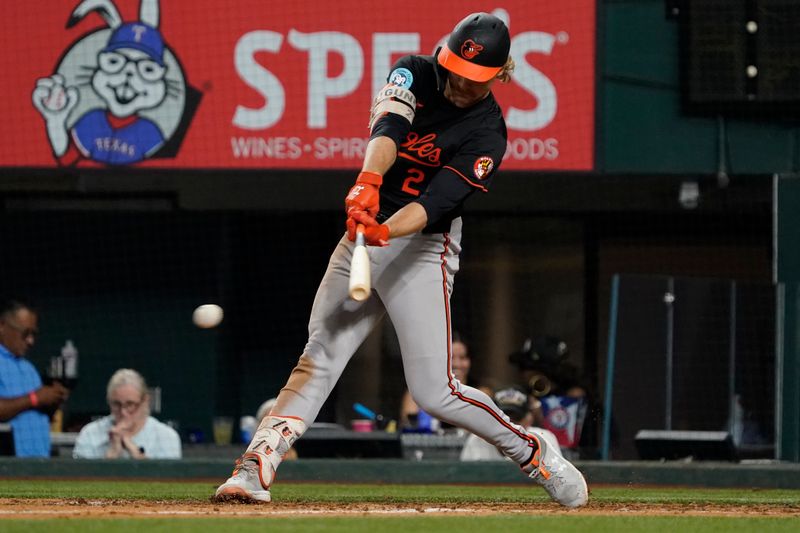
x,y
249,482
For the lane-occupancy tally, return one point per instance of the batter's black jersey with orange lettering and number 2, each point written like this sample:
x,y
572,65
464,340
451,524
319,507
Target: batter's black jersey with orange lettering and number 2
x,y
446,153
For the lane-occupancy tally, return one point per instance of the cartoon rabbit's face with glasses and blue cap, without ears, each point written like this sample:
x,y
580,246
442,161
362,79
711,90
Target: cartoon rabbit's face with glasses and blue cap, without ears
x,y
130,70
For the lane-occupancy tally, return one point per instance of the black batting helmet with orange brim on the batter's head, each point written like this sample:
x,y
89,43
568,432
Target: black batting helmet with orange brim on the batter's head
x,y
477,49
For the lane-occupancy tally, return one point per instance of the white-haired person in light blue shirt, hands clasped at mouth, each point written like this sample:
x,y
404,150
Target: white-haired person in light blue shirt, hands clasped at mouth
x,y
129,431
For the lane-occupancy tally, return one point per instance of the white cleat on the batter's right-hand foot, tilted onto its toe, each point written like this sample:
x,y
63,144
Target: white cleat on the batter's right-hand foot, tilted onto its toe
x,y
562,481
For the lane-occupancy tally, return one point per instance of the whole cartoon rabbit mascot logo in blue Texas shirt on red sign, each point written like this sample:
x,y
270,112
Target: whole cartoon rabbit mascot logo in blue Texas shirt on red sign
x,y
119,95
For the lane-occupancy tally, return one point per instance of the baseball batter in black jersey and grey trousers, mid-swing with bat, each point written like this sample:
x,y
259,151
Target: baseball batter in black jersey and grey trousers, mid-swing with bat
x,y
437,136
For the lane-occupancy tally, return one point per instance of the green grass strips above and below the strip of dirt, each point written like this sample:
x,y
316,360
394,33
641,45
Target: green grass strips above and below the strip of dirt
x,y
427,495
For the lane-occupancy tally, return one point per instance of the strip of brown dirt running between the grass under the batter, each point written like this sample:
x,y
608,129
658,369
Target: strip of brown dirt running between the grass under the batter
x,y
79,507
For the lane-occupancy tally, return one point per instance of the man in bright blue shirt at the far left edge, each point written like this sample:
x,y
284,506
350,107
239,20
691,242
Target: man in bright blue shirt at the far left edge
x,y
24,402
